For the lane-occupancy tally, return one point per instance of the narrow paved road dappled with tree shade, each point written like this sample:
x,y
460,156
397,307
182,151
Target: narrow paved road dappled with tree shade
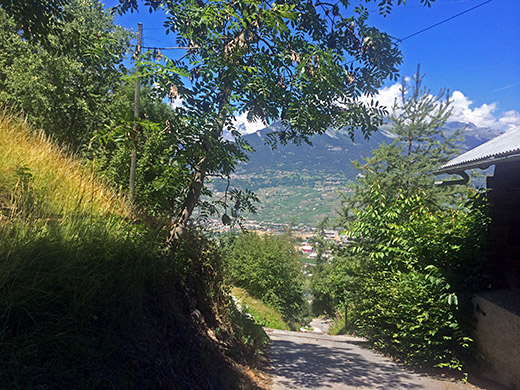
x,y
318,361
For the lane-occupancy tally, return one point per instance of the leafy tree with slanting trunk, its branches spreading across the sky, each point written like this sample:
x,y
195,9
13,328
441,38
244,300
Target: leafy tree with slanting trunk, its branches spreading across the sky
x,y
304,63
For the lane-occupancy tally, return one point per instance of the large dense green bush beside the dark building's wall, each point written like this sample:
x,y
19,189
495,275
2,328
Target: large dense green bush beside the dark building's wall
x,y
412,269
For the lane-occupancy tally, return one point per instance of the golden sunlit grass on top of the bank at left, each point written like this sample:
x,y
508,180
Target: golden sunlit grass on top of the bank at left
x,y
62,183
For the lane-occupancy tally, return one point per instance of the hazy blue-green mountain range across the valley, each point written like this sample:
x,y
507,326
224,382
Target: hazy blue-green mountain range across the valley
x,y
302,184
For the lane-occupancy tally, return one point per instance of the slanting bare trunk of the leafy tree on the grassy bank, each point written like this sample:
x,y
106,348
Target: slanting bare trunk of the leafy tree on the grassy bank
x,y
191,200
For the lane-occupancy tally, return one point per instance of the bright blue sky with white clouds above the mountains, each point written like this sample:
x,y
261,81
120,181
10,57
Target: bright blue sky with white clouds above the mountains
x,y
476,55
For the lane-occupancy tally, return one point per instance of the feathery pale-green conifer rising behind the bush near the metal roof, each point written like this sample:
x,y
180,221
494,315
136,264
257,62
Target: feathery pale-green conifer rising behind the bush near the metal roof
x,y
419,146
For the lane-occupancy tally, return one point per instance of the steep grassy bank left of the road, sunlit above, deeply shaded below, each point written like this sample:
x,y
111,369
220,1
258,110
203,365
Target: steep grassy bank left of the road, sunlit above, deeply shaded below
x,y
88,300
